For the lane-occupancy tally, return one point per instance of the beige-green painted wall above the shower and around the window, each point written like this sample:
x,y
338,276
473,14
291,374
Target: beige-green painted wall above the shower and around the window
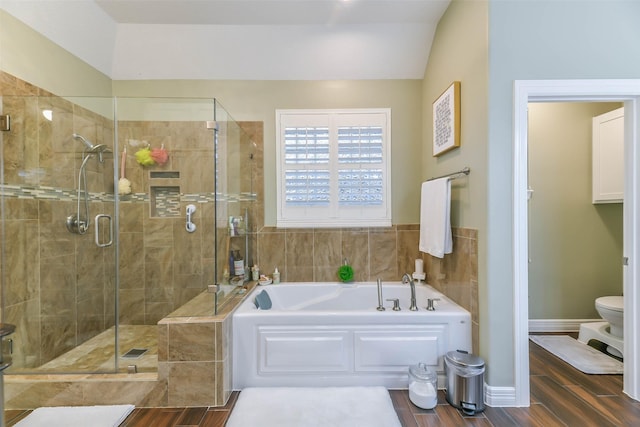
x,y
33,58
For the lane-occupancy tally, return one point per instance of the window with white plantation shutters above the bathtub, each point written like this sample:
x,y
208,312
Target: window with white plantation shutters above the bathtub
x,y
333,168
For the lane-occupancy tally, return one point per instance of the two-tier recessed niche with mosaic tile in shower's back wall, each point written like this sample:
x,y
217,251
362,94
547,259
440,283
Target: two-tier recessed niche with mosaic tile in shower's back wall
x,y
164,192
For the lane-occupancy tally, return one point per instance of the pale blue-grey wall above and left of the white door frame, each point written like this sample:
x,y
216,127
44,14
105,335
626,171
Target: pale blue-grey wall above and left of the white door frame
x,y
537,40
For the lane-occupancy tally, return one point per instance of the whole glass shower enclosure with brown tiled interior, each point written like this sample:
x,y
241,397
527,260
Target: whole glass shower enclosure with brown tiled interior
x,y
112,213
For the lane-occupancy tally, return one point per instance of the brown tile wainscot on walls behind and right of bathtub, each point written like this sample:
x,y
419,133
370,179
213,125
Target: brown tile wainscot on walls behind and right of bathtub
x,y
315,255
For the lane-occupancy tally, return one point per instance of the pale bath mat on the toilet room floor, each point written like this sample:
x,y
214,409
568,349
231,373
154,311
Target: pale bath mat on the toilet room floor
x,y
581,356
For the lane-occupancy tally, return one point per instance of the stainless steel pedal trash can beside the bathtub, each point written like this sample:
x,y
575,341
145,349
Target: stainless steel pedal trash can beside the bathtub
x,y
465,381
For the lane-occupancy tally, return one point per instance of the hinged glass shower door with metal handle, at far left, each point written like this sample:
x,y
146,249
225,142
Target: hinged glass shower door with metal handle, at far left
x,y
59,283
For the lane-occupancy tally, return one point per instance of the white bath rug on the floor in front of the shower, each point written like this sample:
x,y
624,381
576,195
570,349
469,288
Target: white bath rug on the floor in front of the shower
x,y
77,416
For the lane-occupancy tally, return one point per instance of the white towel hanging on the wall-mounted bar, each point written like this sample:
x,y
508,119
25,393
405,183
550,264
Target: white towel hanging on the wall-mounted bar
x,y
435,220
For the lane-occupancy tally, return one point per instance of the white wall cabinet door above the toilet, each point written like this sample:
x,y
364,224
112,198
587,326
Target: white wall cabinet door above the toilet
x,y
608,157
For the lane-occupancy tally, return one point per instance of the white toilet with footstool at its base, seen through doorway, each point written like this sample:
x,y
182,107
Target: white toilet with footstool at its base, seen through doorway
x,y
610,308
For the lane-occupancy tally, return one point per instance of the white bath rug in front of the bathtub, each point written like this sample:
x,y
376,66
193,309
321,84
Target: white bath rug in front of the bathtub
x,y
314,407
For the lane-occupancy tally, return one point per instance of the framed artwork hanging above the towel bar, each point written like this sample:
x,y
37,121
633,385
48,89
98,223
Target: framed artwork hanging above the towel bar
x,y
446,120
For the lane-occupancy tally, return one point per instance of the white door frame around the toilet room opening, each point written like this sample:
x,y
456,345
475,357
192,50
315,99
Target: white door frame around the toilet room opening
x,y
624,90
